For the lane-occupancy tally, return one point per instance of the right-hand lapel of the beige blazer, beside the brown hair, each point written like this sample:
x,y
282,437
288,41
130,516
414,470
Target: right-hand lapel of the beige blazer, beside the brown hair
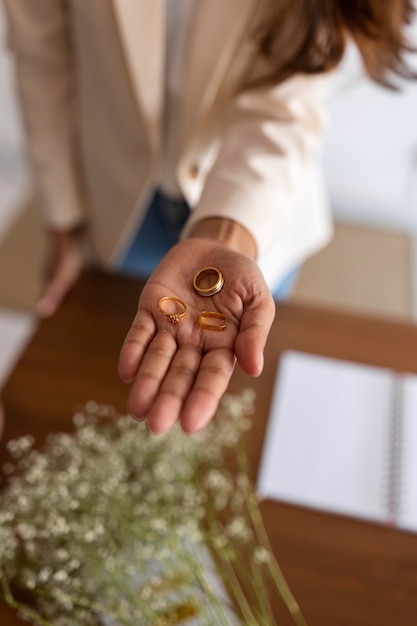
x,y
218,29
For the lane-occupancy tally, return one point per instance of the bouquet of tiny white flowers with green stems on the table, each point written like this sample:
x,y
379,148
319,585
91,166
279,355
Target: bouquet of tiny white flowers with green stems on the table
x,y
112,526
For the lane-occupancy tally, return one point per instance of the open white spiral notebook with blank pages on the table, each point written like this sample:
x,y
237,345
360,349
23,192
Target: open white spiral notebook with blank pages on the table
x,y
342,437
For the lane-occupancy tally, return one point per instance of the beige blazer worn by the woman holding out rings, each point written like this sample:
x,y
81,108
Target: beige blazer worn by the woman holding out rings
x,y
90,76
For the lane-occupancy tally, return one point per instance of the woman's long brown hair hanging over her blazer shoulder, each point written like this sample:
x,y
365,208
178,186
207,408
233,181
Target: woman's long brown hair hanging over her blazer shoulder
x,y
310,36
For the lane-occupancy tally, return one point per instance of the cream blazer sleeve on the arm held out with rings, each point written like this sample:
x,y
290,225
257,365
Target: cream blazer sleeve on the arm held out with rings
x,y
270,141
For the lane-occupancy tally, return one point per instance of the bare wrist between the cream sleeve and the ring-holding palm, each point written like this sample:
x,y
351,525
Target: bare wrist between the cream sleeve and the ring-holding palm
x,y
226,232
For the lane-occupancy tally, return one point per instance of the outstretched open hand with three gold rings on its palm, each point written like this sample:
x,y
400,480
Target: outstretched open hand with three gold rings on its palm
x,y
180,371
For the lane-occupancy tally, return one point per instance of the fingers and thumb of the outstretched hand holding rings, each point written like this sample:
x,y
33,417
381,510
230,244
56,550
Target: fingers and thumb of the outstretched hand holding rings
x,y
177,376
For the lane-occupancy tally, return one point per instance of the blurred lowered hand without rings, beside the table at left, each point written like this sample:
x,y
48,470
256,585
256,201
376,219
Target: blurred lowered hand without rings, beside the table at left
x,y
64,266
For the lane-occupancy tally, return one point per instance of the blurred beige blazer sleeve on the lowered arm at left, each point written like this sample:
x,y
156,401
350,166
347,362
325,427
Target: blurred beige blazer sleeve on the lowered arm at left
x,y
40,40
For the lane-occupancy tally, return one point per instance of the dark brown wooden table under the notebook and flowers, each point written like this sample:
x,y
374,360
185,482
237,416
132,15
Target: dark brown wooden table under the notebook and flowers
x,y
343,572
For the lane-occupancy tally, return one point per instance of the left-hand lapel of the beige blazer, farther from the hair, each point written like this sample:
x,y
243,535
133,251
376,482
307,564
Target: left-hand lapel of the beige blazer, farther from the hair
x,y
142,28
